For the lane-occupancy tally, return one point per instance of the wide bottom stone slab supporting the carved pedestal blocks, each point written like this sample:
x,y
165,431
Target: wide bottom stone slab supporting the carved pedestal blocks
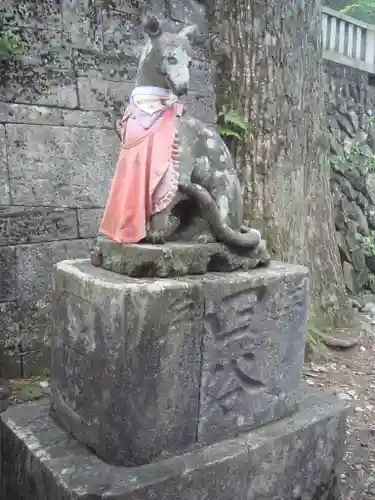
x,y
295,458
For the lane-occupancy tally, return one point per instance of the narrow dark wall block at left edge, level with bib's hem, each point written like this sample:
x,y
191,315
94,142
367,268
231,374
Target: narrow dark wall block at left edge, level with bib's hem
x,y
33,224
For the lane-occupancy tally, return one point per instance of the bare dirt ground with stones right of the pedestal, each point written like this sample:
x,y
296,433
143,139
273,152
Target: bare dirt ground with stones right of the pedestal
x,y
350,375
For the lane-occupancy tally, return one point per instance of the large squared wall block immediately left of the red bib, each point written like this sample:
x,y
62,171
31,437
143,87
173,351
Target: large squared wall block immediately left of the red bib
x,y
49,166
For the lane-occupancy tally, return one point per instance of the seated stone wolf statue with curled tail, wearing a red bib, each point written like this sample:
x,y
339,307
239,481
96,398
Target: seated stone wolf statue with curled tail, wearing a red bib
x,y
206,204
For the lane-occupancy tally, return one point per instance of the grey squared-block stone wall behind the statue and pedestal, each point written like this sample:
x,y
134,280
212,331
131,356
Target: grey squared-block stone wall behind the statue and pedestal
x,y
59,100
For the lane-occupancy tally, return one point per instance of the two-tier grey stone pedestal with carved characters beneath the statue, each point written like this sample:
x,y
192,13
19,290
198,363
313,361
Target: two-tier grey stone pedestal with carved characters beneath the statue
x,y
183,388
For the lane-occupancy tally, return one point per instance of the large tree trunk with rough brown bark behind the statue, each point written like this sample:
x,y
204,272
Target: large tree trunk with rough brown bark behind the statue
x,y
273,76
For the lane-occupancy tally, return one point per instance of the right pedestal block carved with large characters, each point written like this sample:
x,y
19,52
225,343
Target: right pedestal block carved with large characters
x,y
252,351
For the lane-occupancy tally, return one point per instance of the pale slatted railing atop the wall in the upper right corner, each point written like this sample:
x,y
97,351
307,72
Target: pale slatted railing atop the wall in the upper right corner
x,y
348,41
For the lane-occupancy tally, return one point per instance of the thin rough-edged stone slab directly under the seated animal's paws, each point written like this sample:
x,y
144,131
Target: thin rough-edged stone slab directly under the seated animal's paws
x,y
174,259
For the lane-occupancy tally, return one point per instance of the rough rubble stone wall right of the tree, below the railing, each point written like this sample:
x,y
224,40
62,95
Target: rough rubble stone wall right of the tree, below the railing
x,y
350,100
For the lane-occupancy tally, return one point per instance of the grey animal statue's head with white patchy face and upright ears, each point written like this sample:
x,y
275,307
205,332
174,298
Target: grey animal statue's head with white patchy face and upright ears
x,y
166,58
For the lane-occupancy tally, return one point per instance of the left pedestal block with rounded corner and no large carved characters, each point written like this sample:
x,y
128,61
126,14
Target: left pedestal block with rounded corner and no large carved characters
x,y
148,363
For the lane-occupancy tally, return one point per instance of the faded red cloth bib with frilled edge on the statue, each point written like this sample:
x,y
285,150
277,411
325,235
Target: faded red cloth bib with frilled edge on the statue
x,y
145,180
